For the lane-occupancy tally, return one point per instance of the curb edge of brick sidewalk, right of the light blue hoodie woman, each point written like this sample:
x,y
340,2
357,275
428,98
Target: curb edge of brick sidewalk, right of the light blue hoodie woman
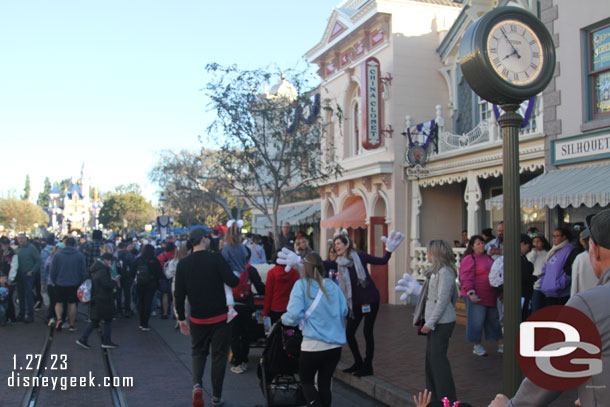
x,y
378,389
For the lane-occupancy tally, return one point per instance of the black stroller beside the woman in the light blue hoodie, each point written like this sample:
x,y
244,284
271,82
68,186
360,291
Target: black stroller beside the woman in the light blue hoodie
x,y
279,365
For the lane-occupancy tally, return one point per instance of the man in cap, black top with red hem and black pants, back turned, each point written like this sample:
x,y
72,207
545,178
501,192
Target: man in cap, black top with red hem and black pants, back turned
x,y
200,277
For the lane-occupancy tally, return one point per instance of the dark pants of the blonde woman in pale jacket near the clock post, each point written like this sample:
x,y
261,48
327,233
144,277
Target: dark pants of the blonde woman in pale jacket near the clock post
x,y
439,379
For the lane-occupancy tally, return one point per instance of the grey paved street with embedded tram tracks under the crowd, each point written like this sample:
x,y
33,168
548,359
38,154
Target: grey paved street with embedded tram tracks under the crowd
x,y
159,362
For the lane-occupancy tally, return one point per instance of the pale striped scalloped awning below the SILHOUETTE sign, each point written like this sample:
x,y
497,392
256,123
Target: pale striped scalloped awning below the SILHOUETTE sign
x,y
577,186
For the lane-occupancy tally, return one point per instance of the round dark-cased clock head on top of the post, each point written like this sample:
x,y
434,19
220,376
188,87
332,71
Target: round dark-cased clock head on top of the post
x,y
507,56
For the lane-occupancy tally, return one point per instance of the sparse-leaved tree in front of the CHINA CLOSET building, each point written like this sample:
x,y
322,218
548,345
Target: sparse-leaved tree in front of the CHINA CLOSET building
x,y
270,144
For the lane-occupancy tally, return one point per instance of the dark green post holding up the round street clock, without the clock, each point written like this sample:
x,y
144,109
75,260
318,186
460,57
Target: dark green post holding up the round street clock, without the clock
x,y
510,121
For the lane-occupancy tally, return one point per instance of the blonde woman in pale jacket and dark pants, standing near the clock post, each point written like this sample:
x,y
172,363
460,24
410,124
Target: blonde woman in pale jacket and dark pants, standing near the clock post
x,y
440,319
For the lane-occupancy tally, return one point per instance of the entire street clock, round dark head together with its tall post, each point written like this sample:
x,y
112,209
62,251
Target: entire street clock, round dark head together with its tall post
x,y
506,66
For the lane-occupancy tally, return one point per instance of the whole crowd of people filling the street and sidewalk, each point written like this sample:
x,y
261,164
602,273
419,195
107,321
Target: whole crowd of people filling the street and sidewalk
x,y
205,283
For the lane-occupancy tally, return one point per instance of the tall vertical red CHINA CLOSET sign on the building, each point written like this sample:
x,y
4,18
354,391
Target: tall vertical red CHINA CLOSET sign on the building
x,y
372,95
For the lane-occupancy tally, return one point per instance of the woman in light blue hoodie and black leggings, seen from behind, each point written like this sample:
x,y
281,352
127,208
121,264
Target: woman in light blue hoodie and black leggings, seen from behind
x,y
319,307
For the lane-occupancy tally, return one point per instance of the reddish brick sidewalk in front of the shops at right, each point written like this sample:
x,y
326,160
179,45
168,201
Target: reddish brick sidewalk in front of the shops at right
x,y
400,359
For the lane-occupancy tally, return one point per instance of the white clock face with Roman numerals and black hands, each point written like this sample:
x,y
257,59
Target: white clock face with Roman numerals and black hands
x,y
515,52
